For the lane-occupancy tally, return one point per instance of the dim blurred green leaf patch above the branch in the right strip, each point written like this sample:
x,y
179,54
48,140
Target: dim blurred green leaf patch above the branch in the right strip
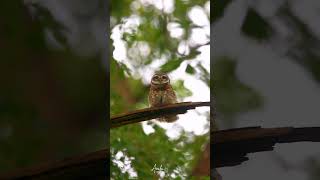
x,y
232,96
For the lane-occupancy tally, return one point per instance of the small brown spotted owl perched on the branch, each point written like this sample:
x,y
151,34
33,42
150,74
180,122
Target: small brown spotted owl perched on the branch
x,y
161,93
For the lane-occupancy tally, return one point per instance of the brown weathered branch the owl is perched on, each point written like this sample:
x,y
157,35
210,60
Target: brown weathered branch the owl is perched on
x,y
154,112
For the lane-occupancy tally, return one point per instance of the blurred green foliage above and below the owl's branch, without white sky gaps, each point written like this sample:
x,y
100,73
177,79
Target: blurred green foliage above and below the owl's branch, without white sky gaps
x,y
147,42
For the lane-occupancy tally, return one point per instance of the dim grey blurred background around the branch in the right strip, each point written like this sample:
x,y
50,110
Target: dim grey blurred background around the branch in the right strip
x,y
266,67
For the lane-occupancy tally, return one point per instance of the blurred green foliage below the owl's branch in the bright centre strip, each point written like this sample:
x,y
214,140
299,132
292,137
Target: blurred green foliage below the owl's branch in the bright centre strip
x,y
154,149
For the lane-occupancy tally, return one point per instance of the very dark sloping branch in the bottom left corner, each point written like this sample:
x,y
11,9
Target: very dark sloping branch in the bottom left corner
x,y
90,166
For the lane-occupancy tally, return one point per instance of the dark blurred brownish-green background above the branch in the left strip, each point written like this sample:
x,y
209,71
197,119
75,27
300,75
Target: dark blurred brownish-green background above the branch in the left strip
x,y
53,90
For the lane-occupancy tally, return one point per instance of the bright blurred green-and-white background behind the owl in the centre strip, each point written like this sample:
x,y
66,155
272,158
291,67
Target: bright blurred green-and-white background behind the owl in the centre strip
x,y
172,36
